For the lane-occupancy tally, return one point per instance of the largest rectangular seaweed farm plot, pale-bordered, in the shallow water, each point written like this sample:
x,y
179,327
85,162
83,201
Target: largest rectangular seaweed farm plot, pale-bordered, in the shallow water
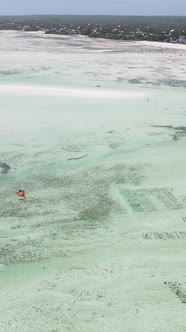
x,y
149,199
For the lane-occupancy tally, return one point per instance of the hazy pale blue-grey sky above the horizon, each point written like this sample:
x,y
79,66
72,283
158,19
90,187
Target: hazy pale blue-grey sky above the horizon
x,y
94,7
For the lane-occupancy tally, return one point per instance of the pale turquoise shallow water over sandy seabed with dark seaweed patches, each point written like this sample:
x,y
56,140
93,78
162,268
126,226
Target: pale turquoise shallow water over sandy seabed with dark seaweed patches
x,y
99,242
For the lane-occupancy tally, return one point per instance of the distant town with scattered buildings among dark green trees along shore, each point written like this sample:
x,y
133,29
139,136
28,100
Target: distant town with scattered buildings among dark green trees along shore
x,y
155,28
